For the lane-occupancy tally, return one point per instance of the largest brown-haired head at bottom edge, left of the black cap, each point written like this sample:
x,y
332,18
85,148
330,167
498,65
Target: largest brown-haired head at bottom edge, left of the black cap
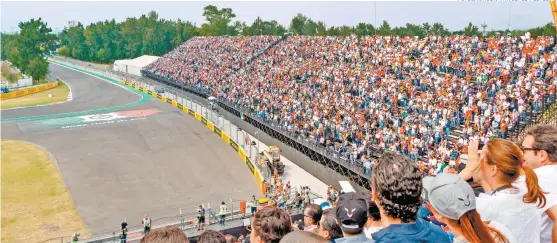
x,y
269,225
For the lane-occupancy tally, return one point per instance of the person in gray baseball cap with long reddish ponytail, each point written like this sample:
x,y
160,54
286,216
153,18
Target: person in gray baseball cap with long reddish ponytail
x,y
453,203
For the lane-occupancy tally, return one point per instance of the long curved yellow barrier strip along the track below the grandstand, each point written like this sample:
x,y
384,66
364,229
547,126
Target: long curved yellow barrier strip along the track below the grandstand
x,y
241,152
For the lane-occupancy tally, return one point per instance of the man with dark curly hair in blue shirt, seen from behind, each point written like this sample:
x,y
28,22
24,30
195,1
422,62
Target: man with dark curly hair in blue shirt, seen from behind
x,y
396,185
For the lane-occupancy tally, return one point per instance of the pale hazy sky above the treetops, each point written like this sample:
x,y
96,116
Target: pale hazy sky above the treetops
x,y
453,15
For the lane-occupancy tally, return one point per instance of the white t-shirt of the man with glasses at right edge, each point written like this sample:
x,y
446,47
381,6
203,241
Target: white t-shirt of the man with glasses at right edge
x,y
547,180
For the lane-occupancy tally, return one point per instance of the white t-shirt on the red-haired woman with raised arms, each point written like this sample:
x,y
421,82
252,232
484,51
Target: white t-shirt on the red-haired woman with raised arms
x,y
507,208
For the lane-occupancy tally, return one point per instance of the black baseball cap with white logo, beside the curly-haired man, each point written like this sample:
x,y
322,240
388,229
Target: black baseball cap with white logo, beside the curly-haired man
x,y
351,210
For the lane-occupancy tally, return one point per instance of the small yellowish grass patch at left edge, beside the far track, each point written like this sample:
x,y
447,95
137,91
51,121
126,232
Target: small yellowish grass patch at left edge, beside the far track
x,y
60,94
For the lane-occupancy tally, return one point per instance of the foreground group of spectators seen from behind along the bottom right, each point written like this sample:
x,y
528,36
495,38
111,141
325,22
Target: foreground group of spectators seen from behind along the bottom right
x,y
519,203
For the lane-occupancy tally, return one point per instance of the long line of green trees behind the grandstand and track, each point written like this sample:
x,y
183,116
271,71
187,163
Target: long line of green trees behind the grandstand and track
x,y
106,41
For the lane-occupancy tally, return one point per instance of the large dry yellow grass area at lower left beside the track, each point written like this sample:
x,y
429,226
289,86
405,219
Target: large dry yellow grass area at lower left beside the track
x,y
36,206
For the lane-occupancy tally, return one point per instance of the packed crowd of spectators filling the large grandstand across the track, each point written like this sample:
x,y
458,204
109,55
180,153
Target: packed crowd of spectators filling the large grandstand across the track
x,y
351,94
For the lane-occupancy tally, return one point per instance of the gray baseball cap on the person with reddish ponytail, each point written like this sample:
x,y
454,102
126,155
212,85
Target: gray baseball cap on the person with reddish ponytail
x,y
450,195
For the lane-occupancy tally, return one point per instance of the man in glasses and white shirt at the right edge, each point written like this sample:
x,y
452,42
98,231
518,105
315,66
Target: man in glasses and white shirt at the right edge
x,y
540,152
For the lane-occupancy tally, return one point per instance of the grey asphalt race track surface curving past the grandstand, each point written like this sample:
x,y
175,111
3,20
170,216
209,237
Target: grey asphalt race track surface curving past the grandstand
x,y
157,165
